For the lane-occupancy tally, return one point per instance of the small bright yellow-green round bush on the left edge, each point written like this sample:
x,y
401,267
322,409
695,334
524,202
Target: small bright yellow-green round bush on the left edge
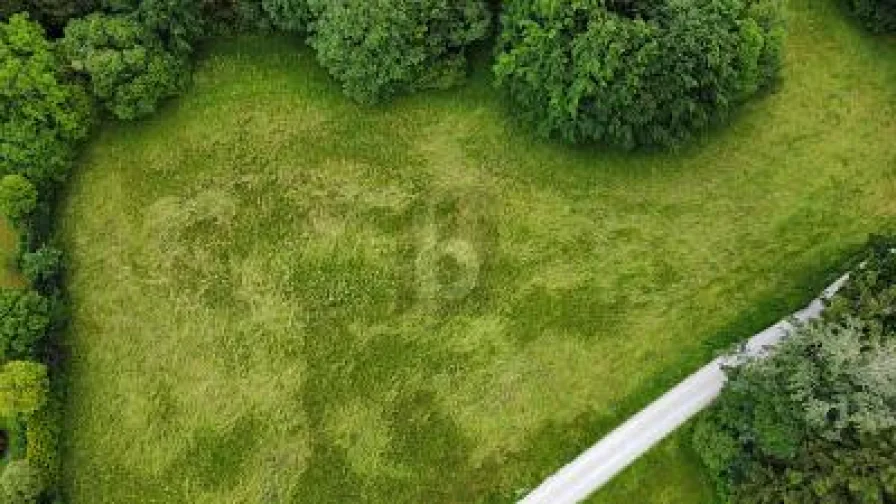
x,y
24,387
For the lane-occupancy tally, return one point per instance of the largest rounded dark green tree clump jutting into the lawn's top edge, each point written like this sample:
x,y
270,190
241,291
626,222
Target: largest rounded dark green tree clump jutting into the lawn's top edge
x,y
635,72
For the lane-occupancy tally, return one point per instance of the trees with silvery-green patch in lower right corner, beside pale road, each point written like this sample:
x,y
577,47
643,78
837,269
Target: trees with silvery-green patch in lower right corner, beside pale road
x,y
816,421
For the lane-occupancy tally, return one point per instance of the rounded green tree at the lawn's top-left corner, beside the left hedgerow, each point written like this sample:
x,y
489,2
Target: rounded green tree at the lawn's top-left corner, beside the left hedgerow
x,y
129,70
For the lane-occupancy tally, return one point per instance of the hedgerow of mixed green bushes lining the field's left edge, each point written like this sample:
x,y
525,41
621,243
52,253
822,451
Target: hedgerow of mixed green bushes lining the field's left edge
x,y
44,115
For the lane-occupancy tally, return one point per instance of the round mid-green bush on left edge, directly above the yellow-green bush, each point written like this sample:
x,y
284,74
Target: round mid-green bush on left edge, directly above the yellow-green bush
x,y
25,317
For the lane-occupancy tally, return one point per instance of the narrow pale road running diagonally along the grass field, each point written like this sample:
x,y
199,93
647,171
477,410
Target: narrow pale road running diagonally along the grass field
x,y
592,469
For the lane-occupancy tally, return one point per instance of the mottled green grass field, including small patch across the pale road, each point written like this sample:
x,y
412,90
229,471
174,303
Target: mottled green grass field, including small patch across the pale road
x,y
280,296
